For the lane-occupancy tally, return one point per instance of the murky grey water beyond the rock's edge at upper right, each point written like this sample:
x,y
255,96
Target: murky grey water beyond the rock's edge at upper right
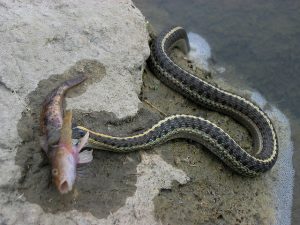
x,y
257,42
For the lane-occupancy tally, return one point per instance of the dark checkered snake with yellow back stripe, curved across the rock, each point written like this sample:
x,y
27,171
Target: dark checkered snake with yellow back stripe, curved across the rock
x,y
196,128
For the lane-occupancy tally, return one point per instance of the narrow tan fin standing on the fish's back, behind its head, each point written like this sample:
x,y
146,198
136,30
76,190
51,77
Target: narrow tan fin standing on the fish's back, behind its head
x,y
66,130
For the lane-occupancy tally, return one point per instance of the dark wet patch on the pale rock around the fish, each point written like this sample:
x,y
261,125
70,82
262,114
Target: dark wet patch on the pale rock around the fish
x,y
103,185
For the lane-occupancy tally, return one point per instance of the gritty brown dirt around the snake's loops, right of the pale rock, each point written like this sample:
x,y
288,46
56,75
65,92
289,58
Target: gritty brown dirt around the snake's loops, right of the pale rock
x,y
215,194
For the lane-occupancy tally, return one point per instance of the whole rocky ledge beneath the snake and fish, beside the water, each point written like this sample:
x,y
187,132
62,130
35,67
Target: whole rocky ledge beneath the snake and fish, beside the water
x,y
44,43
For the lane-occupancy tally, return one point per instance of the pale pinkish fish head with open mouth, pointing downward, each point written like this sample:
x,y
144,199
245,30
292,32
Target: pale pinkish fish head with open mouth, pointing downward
x,y
64,163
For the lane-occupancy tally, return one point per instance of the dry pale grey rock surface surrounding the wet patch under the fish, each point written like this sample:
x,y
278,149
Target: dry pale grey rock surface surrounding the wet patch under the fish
x,y
39,39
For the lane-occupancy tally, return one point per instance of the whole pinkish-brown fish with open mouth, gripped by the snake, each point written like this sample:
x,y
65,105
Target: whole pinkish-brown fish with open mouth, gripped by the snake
x,y
56,138
